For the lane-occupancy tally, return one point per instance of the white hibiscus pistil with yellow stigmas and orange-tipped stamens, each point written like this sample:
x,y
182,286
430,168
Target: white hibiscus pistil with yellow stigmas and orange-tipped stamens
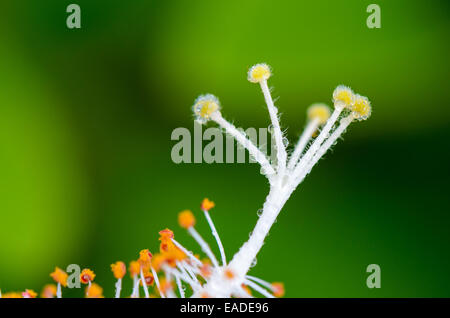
x,y
175,271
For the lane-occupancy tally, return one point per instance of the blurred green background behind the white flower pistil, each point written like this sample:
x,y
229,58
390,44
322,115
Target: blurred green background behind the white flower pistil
x,y
86,117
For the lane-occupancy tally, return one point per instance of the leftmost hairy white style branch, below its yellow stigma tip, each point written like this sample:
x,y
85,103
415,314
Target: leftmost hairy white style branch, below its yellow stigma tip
x,y
254,151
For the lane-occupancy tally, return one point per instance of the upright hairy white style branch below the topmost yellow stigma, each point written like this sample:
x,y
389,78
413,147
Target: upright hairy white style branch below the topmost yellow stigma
x,y
279,145
